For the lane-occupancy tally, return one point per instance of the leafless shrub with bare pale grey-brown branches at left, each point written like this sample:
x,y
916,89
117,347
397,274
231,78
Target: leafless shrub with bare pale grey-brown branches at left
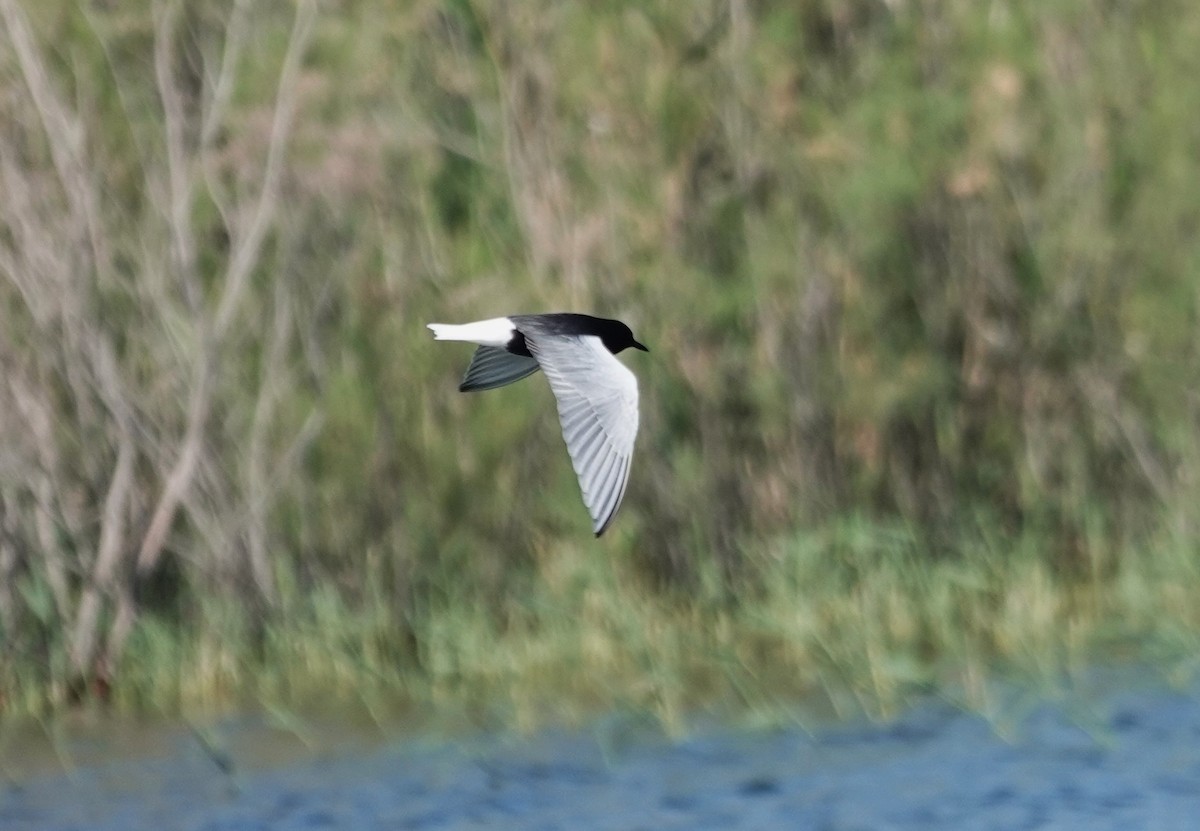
x,y
113,415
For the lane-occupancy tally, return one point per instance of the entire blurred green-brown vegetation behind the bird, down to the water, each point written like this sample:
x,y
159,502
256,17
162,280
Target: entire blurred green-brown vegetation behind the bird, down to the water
x,y
920,283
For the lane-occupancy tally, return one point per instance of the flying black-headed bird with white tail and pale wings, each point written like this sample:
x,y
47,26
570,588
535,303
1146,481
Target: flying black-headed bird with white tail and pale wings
x,y
597,396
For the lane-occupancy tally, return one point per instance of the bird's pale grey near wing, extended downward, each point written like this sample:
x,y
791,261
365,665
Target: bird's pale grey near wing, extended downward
x,y
598,409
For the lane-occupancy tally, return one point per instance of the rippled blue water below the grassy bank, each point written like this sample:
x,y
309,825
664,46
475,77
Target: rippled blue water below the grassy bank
x,y
1121,761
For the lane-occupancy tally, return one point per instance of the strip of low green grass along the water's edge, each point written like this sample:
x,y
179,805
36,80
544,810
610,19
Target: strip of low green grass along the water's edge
x,y
856,615
